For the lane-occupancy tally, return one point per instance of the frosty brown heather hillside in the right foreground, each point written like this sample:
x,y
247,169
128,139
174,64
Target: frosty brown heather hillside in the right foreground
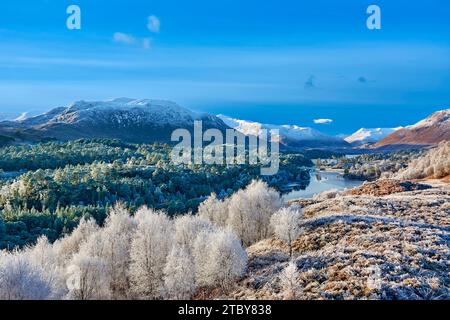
x,y
361,247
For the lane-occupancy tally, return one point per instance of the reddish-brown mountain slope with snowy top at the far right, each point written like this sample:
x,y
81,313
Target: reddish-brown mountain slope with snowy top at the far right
x,y
430,131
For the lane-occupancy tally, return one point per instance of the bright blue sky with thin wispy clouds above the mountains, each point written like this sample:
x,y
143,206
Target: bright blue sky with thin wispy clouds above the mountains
x,y
271,61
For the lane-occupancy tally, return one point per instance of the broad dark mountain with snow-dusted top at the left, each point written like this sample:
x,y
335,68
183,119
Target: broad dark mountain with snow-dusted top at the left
x,y
127,119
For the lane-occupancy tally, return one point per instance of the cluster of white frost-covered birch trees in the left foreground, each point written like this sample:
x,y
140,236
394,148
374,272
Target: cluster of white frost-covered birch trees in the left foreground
x,y
145,256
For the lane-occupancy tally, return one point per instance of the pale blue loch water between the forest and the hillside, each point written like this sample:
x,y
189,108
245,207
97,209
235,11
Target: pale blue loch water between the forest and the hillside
x,y
322,181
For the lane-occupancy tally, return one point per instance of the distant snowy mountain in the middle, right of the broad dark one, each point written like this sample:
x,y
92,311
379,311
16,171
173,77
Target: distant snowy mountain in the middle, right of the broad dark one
x,y
289,135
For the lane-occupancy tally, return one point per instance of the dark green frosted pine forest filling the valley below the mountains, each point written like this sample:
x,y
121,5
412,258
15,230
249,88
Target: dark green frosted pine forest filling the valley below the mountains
x,y
47,188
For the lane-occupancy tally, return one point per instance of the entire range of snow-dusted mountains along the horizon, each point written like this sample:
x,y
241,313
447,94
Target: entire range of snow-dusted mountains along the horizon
x,y
148,121
